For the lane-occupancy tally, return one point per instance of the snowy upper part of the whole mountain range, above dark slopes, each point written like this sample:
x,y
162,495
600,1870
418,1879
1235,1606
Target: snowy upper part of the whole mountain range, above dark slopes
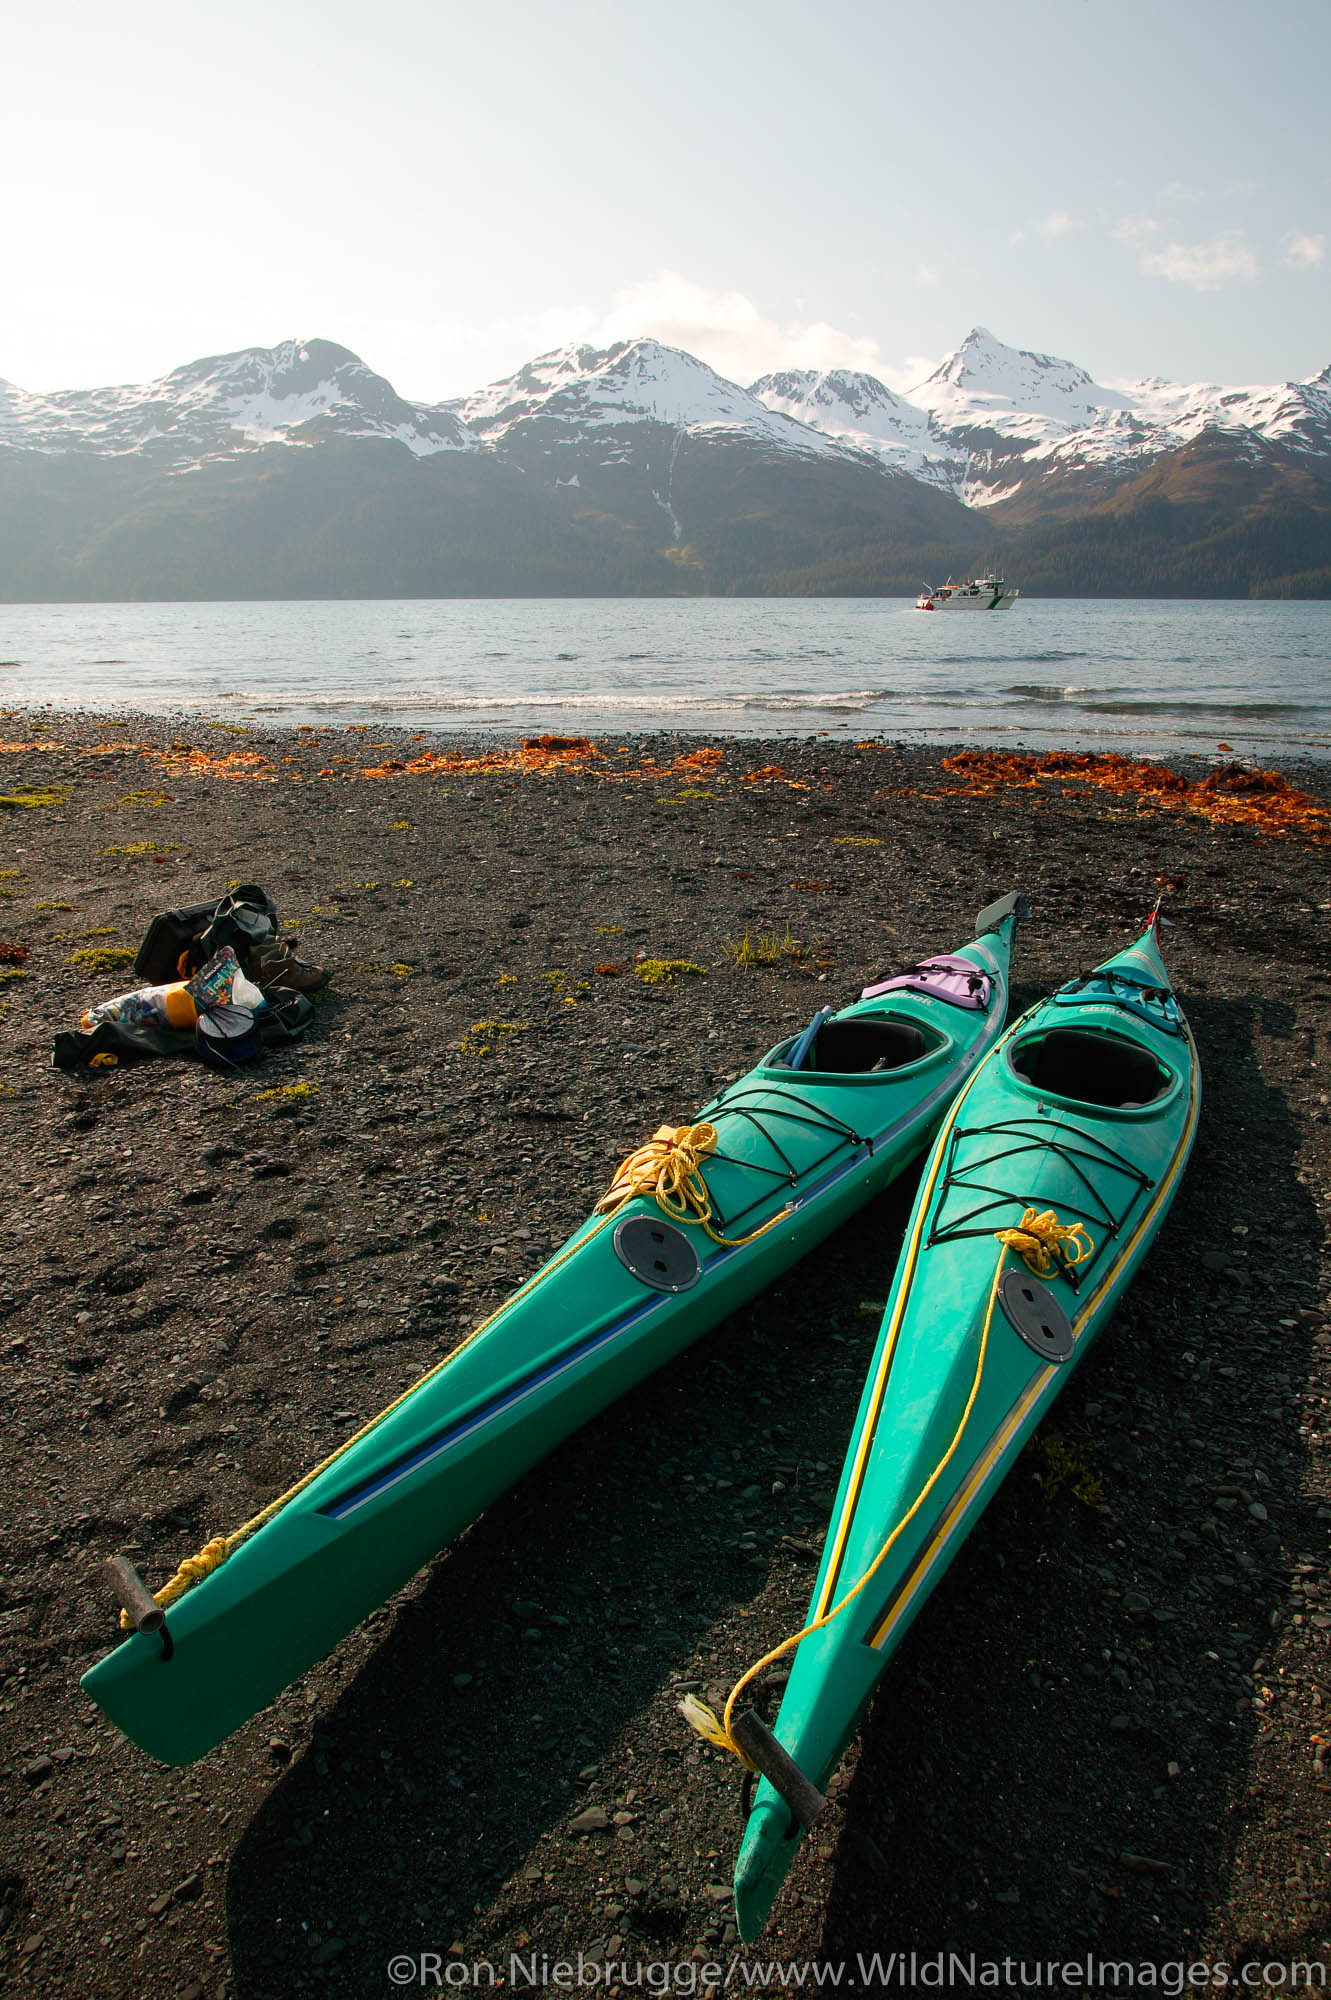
x,y
990,425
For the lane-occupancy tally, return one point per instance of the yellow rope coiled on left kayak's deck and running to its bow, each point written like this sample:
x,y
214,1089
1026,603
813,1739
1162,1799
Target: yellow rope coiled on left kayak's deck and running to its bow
x,y
666,1167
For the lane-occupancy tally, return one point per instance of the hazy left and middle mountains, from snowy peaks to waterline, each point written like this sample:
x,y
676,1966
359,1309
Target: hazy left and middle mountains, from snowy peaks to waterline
x,y
297,471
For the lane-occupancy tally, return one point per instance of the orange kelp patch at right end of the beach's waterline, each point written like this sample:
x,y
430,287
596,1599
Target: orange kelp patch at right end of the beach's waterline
x,y
1228,797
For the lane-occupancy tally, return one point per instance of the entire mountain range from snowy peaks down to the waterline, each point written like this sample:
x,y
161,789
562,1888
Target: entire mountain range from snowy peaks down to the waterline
x,y
639,467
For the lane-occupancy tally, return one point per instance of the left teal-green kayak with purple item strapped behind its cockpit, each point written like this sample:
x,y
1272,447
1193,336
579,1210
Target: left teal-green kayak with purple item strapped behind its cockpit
x,y
724,1207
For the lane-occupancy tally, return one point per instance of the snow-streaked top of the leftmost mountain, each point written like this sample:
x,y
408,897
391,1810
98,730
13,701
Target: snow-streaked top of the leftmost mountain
x,y
299,393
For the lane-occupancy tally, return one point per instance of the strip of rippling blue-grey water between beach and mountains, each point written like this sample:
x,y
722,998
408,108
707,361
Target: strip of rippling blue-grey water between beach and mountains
x,y
1122,675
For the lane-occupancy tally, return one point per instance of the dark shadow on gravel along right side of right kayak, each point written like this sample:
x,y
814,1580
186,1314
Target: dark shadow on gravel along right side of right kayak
x,y
1064,1757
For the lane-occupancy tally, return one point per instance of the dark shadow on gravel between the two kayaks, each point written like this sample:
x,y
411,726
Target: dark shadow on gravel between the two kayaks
x,y
567,1619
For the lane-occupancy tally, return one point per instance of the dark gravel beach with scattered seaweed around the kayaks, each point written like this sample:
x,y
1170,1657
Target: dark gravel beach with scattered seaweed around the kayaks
x,y
1104,1739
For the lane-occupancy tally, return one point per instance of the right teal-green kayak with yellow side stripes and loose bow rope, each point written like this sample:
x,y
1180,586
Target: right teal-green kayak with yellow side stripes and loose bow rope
x,y
1070,1139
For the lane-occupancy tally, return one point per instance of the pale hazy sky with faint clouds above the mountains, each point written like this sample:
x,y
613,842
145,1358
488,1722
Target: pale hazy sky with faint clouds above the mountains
x,y
453,189
